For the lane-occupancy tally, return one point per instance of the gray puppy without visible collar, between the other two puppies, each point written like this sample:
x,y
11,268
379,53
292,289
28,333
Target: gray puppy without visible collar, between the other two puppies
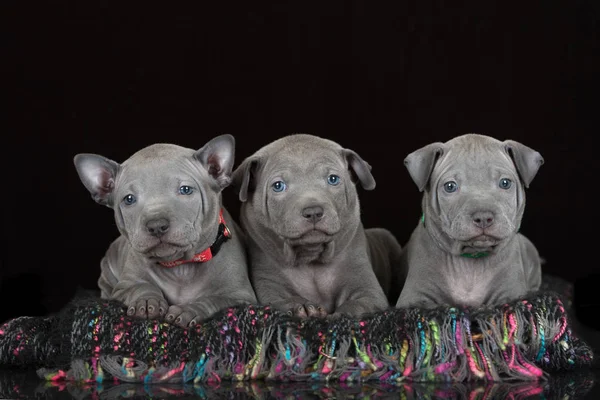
x,y
309,253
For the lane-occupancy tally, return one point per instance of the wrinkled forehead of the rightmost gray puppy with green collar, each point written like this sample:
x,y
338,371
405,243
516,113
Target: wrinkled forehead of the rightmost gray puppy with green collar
x,y
474,161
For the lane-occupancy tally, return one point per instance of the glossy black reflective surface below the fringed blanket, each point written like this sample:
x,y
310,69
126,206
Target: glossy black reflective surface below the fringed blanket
x,y
24,384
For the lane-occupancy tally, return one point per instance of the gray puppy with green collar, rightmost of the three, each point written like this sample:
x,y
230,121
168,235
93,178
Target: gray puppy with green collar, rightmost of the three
x,y
467,250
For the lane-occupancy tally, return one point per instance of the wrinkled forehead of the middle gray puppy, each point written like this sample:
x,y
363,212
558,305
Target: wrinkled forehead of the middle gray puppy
x,y
304,160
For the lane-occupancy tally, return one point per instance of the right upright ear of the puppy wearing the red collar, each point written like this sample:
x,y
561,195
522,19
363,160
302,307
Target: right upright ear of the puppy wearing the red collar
x,y
217,156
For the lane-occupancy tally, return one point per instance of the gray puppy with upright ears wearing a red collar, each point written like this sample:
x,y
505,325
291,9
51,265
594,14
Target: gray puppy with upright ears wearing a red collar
x,y
180,254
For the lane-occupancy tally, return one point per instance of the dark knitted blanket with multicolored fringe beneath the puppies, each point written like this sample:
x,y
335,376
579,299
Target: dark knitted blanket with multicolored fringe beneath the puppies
x,y
93,339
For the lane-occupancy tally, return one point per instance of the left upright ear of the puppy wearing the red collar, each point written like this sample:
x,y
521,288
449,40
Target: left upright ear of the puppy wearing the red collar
x,y
98,175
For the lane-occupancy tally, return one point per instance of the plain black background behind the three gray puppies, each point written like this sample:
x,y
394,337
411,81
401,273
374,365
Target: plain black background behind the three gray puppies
x,y
381,78
